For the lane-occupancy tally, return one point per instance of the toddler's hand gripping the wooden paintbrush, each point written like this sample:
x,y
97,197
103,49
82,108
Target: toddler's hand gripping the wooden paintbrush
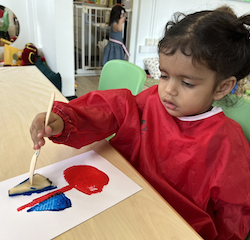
x,y
38,131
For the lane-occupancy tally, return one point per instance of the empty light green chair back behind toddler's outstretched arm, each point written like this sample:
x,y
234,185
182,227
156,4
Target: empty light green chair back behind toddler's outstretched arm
x,y
122,74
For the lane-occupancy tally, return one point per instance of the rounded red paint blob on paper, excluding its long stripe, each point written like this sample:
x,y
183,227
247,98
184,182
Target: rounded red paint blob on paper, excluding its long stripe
x,y
86,179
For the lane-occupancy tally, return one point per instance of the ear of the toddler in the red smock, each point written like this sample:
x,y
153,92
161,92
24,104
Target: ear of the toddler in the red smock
x,y
224,87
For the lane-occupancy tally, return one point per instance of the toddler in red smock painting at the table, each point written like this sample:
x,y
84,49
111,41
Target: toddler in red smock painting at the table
x,y
187,149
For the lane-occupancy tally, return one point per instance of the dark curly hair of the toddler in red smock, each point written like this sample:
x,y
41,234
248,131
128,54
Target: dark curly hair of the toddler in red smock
x,y
217,39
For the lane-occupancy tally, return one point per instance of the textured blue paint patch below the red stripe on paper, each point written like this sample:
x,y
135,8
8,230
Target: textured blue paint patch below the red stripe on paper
x,y
57,202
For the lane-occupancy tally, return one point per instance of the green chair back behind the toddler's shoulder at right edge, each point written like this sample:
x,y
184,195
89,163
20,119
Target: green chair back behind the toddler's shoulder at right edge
x,y
240,112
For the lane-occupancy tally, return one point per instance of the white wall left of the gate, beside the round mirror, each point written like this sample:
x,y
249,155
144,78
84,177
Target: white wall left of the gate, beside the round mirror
x,y
48,24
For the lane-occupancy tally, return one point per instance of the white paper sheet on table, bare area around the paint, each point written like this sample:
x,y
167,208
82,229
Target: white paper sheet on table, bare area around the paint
x,y
45,225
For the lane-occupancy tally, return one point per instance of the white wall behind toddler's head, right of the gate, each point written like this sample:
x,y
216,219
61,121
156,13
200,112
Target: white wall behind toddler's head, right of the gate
x,y
151,23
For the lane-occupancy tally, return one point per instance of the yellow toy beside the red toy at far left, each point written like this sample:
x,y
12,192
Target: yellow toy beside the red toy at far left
x,y
12,56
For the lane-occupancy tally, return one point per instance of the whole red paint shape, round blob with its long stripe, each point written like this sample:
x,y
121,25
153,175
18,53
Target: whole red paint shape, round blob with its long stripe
x,y
86,179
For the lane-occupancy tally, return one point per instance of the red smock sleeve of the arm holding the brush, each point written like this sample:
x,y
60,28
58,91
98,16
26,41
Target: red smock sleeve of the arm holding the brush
x,y
94,116
